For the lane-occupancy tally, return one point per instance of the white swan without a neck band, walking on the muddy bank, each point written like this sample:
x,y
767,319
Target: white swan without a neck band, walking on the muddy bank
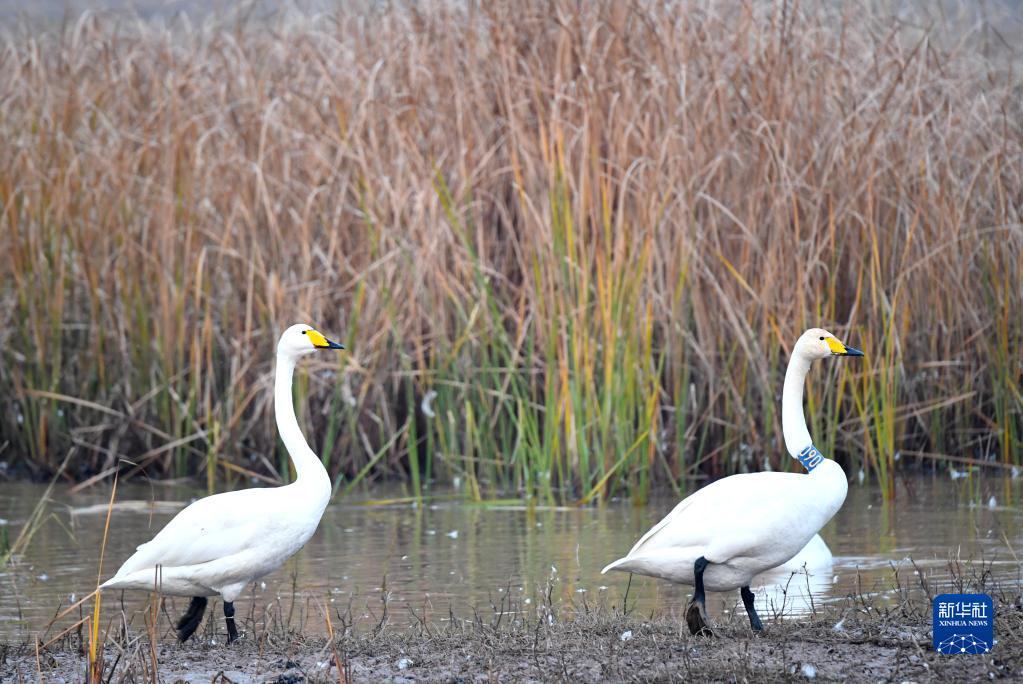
x,y
221,543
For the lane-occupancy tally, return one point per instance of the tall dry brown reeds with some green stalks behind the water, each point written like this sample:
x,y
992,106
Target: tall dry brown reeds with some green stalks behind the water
x,y
567,245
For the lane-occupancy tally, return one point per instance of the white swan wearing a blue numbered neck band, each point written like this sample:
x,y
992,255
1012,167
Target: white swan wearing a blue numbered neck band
x,y
724,535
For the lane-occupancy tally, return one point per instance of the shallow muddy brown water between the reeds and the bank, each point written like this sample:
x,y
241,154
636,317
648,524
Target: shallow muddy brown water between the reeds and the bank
x,y
448,558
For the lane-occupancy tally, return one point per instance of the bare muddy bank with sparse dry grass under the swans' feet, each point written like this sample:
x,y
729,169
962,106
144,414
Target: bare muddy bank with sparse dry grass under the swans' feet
x,y
859,644
